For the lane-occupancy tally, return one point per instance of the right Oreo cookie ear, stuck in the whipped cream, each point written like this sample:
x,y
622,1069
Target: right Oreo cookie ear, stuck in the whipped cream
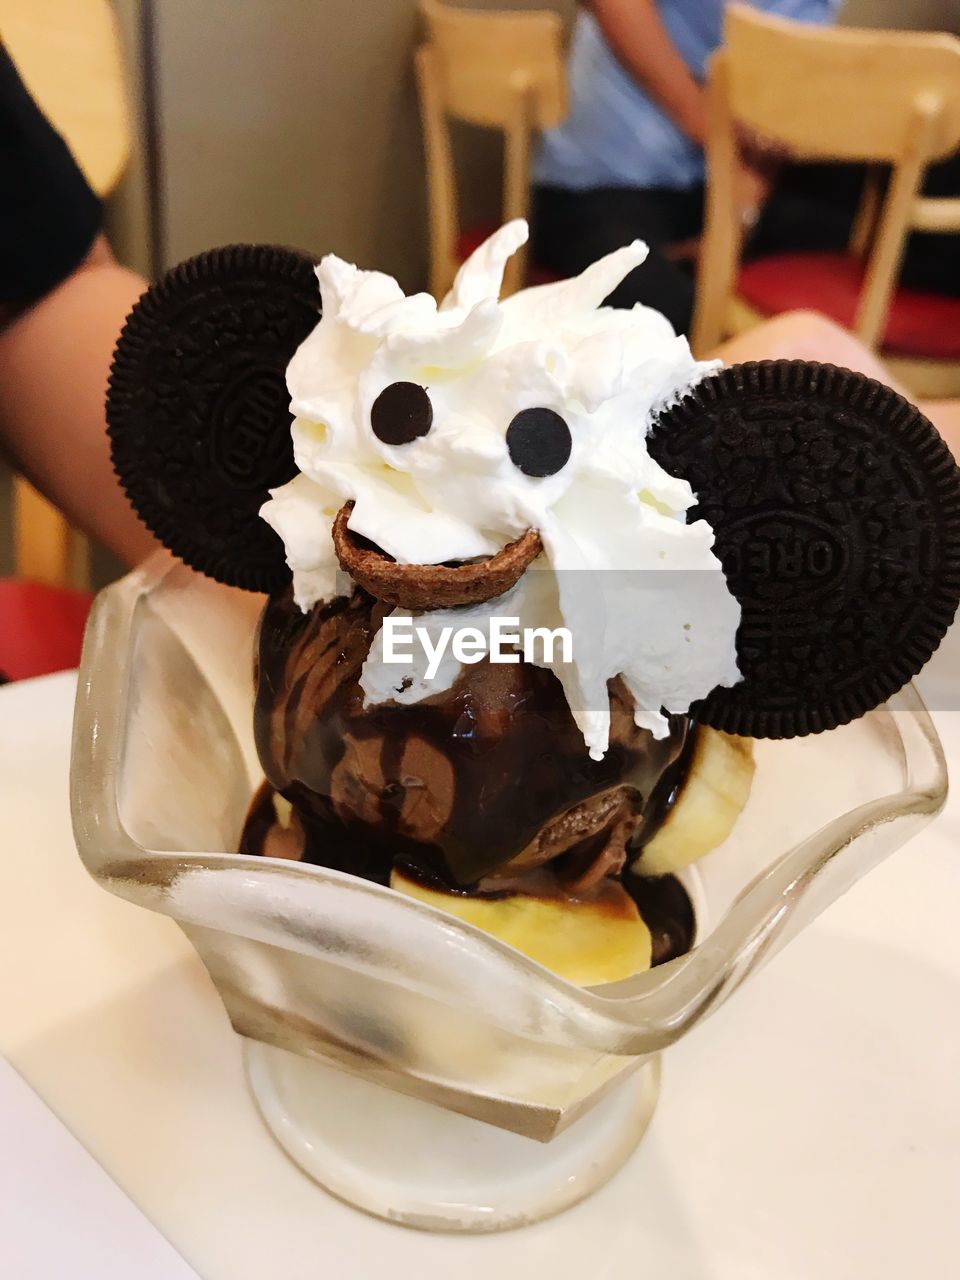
x,y
836,509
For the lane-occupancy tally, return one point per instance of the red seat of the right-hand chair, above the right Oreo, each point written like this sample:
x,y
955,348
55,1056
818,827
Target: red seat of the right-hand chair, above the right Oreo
x,y
925,326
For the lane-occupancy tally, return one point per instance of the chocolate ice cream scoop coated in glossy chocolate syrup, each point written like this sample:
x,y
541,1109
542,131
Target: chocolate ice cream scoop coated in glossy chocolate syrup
x,y
490,779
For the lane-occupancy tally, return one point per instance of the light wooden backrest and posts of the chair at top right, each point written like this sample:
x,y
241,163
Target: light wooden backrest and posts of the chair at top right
x,y
829,94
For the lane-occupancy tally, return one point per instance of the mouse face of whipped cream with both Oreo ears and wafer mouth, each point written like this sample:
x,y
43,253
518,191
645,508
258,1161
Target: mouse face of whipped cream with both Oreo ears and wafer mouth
x,y
772,547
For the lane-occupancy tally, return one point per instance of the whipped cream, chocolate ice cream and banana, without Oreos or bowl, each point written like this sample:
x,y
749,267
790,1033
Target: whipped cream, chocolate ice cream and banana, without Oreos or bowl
x,y
486,461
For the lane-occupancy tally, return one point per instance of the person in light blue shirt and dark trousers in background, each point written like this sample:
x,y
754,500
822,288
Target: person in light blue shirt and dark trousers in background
x,y
628,162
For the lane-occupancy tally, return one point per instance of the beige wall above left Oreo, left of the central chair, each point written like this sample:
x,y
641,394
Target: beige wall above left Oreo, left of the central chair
x,y
296,121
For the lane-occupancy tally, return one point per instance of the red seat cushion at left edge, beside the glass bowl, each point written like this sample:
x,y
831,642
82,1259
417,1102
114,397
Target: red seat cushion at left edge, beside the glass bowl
x,y
42,628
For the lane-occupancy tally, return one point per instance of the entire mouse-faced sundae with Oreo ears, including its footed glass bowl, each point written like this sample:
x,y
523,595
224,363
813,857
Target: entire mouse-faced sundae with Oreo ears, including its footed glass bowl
x,y
484,899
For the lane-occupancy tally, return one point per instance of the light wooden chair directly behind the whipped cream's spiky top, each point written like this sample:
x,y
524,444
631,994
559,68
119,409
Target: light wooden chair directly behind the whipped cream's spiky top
x,y
502,71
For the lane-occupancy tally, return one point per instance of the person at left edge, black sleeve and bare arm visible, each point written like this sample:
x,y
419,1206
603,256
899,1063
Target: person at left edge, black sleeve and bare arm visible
x,y
63,301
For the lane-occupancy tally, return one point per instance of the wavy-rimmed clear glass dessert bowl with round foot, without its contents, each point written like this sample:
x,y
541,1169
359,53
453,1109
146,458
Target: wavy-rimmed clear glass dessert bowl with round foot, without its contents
x,y
410,1063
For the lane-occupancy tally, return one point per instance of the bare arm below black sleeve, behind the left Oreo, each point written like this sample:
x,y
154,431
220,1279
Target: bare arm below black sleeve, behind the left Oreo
x,y
54,363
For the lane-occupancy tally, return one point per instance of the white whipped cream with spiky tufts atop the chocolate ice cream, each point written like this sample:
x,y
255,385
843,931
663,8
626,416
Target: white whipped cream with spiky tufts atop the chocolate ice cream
x,y
639,588
